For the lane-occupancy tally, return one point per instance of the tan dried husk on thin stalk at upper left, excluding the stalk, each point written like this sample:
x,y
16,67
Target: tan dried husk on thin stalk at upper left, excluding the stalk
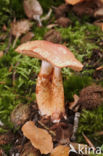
x,y
20,27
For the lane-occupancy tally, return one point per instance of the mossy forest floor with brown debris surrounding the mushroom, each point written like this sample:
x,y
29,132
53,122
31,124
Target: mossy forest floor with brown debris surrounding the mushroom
x,y
18,76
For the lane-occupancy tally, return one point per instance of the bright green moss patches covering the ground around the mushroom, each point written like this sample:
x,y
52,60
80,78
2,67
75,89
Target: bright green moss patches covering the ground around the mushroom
x,y
81,37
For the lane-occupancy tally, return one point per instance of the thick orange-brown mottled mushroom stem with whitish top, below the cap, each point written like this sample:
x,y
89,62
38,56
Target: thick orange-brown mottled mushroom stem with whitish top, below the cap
x,y
49,91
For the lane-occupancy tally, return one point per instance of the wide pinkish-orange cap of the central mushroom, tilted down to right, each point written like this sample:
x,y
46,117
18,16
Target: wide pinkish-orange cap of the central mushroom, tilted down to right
x,y
58,55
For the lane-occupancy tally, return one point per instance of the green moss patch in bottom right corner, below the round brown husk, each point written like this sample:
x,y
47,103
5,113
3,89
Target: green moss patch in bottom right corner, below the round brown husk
x,y
90,123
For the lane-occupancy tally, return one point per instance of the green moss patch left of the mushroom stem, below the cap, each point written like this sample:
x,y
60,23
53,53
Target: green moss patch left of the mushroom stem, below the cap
x,y
25,80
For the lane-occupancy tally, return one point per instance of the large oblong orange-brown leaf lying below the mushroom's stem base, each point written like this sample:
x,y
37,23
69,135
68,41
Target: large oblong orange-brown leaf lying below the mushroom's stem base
x,y
39,137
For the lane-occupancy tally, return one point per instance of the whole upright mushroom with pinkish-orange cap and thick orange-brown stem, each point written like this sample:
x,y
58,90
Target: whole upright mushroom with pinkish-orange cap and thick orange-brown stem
x,y
49,88
